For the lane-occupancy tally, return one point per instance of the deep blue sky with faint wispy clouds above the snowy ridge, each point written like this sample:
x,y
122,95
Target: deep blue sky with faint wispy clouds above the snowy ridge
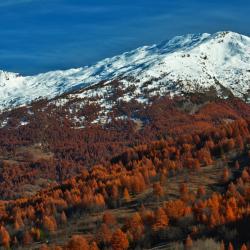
x,y
42,35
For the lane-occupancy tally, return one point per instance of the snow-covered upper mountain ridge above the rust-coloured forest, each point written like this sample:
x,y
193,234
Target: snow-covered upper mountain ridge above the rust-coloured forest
x,y
183,64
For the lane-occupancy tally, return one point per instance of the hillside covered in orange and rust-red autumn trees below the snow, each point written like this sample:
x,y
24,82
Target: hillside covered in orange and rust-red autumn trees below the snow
x,y
170,174
